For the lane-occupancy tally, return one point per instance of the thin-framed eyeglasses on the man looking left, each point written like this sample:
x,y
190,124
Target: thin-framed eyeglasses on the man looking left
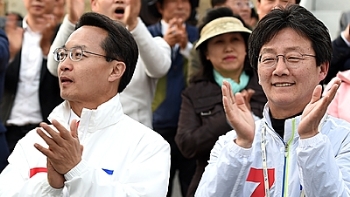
x,y
75,54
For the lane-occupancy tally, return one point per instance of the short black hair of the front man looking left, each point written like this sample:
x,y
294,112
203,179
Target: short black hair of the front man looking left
x,y
119,43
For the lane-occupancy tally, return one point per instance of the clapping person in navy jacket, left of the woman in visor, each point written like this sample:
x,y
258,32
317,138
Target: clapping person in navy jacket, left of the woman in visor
x,y
166,104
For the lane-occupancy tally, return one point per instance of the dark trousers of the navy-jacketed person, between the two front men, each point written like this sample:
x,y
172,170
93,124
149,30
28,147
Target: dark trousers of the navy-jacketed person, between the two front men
x,y
185,167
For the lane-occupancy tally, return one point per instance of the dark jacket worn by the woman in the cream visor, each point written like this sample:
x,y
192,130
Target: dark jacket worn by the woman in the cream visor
x,y
202,120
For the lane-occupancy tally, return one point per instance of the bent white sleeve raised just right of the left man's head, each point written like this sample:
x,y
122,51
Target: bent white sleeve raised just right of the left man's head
x,y
154,52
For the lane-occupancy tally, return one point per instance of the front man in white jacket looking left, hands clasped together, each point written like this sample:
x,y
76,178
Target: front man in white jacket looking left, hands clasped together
x,y
92,148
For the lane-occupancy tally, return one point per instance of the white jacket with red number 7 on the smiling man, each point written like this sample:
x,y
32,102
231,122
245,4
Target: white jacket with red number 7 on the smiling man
x,y
318,166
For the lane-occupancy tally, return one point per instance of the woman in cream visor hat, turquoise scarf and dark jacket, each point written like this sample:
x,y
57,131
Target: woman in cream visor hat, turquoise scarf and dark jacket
x,y
222,50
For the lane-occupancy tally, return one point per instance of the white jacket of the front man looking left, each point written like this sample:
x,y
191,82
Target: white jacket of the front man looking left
x,y
121,157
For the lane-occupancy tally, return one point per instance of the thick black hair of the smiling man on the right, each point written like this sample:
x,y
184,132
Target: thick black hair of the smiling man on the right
x,y
300,20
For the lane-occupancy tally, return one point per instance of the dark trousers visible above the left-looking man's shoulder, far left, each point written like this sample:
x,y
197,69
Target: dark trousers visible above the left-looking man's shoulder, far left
x,y
15,133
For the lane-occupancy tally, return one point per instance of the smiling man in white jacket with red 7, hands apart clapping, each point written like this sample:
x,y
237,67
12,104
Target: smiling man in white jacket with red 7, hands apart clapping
x,y
296,149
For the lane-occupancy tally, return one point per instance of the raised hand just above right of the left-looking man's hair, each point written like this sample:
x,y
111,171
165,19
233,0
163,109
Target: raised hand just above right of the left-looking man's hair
x,y
131,14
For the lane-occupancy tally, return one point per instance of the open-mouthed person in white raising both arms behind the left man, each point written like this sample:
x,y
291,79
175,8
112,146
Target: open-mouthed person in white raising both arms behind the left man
x,y
154,59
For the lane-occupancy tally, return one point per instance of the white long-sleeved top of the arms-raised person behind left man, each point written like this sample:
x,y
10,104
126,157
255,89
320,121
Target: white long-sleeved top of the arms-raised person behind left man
x,y
153,63
